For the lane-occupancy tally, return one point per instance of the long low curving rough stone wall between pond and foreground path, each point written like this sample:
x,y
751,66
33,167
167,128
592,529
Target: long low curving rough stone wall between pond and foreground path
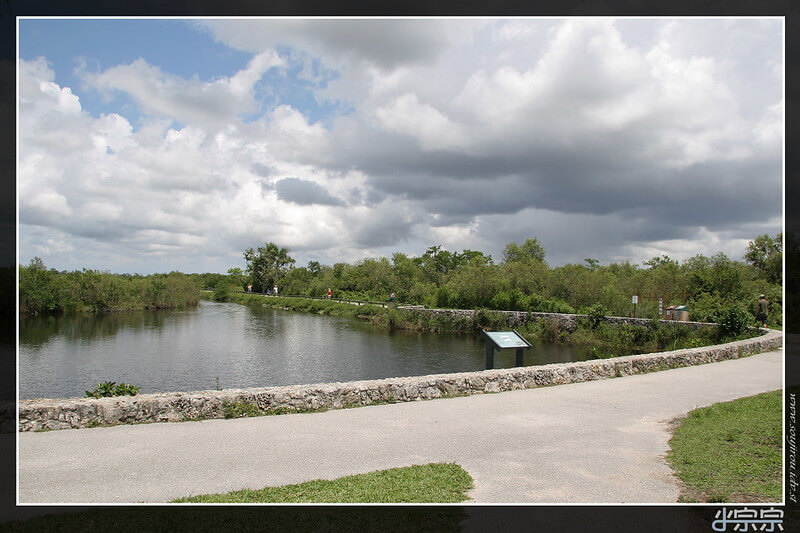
x,y
178,406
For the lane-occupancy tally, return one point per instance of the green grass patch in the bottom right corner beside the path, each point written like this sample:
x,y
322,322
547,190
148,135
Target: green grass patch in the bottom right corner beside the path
x,y
731,451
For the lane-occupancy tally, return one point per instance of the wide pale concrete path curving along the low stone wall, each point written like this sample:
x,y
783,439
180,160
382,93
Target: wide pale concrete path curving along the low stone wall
x,y
594,442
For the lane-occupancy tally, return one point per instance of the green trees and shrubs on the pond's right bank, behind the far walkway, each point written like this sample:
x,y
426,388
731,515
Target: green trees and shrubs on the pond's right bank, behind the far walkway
x,y
522,280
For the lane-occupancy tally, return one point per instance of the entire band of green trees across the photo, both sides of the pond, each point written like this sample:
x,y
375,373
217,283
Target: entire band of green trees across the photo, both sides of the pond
x,y
520,280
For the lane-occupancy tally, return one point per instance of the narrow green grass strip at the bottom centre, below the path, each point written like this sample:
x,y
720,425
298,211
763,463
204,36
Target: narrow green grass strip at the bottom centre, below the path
x,y
430,483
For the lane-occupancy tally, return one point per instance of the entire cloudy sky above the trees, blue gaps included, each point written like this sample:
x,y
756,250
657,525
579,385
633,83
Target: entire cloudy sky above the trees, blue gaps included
x,y
152,145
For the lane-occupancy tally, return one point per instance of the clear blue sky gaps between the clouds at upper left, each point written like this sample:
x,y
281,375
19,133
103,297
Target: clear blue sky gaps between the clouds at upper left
x,y
180,48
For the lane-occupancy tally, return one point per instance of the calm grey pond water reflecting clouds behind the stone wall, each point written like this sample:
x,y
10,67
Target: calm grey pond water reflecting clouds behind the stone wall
x,y
226,345
